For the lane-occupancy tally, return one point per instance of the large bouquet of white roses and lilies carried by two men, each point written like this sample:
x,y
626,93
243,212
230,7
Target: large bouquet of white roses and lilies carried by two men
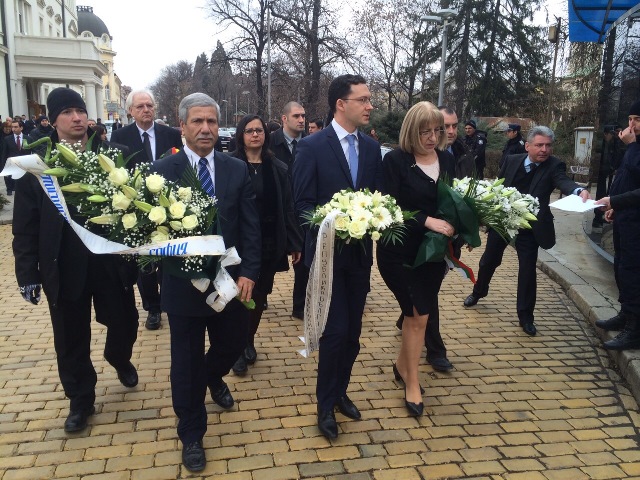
x,y
131,207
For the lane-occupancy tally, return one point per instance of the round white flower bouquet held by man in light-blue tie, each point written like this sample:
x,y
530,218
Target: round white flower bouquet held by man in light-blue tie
x,y
362,214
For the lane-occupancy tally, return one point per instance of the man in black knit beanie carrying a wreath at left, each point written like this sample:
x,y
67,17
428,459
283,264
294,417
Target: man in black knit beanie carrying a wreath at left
x,y
48,253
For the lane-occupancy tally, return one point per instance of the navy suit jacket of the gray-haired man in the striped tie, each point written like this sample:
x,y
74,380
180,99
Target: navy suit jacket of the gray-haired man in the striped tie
x,y
237,220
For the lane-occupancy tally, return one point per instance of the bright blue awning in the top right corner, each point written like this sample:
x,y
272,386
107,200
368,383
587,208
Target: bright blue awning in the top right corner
x,y
589,20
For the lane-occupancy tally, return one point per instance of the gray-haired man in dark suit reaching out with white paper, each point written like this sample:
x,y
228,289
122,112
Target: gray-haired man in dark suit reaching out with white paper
x,y
537,173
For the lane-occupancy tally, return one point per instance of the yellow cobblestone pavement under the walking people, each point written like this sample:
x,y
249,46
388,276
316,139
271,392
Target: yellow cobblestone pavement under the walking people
x,y
515,407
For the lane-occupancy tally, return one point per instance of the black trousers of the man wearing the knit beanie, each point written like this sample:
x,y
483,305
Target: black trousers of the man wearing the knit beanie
x,y
71,320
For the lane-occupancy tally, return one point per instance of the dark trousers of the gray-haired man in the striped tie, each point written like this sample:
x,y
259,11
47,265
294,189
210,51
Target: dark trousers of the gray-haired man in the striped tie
x,y
192,370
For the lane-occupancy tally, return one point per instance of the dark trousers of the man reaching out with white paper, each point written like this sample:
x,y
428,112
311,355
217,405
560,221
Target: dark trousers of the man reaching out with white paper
x,y
527,250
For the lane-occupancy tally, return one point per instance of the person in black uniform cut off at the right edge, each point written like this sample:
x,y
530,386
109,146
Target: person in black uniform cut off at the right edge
x,y
623,208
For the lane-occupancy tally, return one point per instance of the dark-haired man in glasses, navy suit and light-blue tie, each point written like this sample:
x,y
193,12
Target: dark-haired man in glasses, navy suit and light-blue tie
x,y
336,158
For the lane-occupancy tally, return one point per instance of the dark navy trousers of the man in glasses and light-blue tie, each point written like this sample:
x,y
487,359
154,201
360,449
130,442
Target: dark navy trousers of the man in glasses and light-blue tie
x,y
340,341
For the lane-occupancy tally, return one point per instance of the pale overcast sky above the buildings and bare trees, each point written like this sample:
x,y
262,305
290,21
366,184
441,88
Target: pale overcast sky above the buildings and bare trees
x,y
149,35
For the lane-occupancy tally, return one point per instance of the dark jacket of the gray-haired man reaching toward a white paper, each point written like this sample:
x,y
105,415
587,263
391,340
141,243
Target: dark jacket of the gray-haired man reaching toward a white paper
x,y
549,175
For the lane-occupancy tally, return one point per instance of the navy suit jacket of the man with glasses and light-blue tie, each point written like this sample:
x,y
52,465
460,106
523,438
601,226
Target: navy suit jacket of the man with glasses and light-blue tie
x,y
321,169
